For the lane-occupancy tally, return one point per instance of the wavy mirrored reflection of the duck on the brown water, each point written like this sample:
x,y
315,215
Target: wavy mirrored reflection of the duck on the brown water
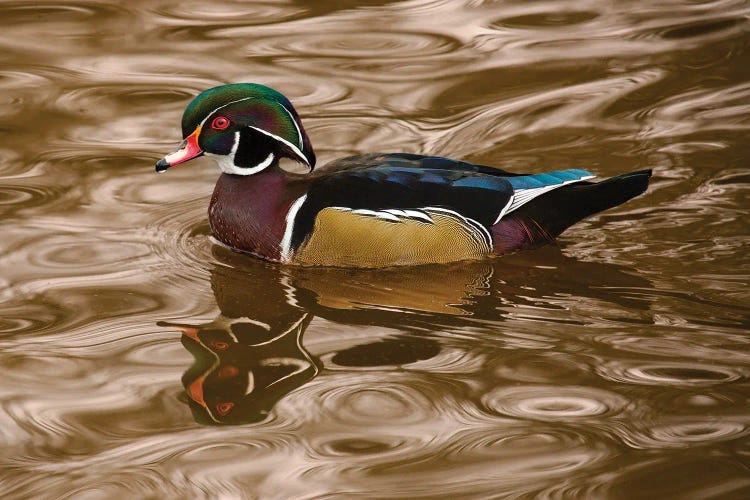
x,y
252,354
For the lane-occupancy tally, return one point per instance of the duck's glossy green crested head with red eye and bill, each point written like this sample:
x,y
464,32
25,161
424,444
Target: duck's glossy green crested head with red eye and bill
x,y
246,127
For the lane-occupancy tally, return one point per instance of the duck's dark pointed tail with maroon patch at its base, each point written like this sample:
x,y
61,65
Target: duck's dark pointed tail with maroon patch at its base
x,y
542,219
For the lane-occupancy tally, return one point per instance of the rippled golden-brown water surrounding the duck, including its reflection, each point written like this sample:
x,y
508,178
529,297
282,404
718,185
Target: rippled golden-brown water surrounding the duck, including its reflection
x,y
615,365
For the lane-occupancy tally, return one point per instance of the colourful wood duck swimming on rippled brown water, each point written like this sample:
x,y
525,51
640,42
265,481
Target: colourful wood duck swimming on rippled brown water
x,y
373,210
